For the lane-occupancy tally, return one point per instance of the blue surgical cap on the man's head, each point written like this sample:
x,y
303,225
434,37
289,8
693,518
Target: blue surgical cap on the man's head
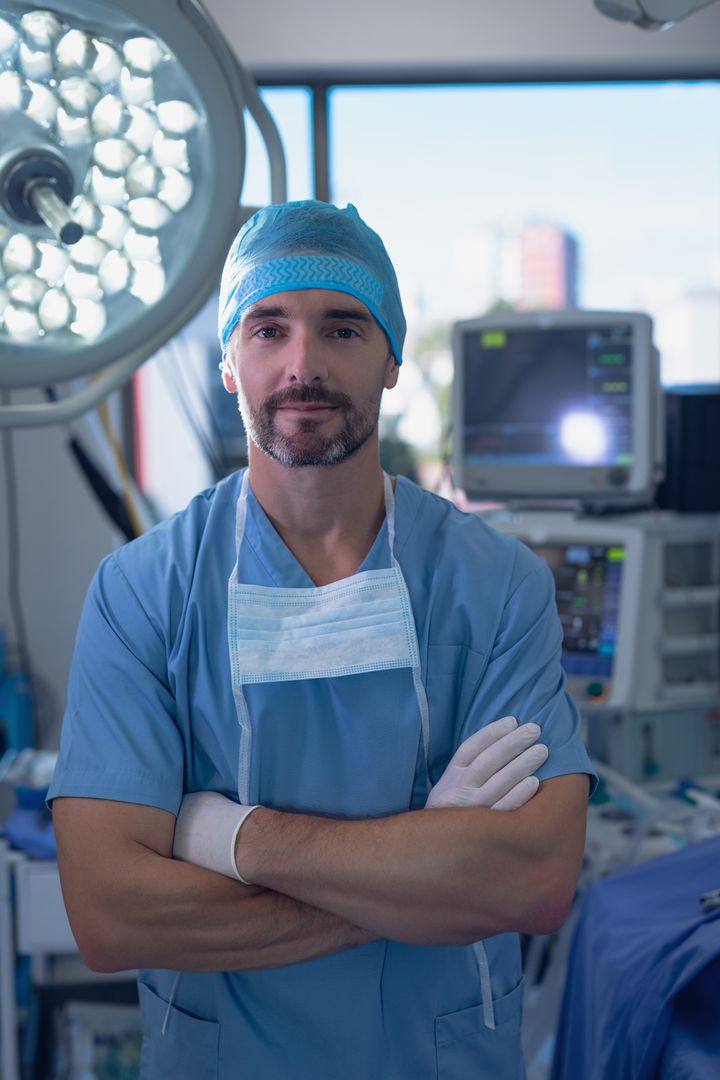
x,y
310,245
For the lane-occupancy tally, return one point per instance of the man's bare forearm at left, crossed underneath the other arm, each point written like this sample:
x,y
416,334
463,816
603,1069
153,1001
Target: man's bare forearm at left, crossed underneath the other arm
x,y
166,914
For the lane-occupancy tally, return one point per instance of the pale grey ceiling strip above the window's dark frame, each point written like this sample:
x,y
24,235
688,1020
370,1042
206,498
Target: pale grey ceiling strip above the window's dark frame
x,y
461,38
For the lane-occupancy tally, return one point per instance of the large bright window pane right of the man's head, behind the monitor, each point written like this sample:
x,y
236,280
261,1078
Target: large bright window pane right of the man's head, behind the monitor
x,y
602,196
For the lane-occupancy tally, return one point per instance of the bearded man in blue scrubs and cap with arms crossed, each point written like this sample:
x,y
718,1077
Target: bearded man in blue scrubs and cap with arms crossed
x,y
314,642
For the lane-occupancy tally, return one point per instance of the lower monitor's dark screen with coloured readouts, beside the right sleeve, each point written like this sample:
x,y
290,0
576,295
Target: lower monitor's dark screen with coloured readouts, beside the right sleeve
x,y
588,585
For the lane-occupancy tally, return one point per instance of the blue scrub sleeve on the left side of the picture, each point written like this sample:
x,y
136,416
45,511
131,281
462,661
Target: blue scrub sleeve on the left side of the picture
x,y
120,739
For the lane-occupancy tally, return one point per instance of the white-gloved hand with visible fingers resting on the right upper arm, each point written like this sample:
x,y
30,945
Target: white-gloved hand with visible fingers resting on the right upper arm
x,y
494,768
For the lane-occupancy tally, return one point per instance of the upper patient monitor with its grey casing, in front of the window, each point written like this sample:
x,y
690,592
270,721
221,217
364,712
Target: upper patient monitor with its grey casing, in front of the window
x,y
556,406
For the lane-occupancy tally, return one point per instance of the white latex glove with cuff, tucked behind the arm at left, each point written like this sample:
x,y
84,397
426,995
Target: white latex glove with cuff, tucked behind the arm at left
x,y
207,830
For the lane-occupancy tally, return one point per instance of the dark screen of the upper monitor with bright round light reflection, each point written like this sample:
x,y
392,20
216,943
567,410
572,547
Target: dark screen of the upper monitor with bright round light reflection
x,y
562,397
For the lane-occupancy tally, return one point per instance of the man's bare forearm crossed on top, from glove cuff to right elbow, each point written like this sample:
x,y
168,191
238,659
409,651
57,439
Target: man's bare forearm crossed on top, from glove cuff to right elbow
x,y
429,877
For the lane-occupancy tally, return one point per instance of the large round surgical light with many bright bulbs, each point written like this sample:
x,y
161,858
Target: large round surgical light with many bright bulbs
x,y
121,169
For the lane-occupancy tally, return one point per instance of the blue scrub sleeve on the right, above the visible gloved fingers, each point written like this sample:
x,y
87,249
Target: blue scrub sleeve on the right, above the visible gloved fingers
x,y
524,678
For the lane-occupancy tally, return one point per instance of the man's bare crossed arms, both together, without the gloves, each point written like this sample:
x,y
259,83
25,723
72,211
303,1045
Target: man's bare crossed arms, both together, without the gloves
x,y
432,877
